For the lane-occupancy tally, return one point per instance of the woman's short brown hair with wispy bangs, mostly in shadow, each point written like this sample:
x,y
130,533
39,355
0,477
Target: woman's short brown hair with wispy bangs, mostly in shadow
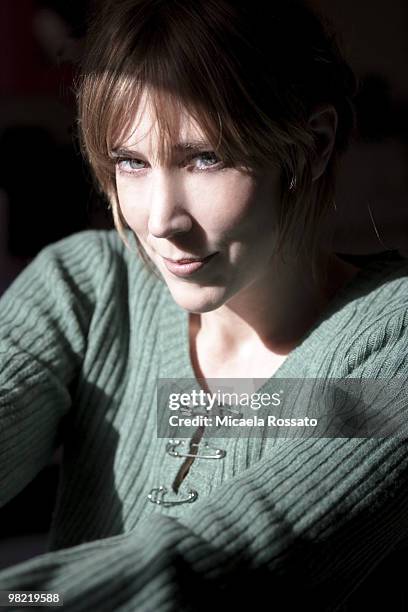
x,y
250,79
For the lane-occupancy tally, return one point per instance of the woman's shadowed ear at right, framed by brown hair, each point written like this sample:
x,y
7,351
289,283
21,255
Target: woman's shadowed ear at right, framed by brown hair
x,y
323,122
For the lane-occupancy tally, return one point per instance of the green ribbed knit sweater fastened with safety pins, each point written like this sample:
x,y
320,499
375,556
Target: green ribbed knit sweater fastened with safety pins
x,y
85,331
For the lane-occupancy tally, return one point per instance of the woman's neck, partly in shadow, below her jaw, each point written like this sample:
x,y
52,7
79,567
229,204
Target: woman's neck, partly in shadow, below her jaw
x,y
276,310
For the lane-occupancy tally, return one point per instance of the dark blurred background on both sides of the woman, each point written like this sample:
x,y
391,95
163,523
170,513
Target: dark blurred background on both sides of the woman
x,y
46,191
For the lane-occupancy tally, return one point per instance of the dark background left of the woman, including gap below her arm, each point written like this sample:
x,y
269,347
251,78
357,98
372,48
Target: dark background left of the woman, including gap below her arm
x,y
46,192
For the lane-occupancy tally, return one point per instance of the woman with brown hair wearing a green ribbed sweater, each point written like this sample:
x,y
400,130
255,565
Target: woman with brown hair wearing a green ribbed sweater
x,y
214,132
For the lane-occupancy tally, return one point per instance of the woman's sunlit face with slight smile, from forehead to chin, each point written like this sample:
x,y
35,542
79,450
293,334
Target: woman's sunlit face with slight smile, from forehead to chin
x,y
193,208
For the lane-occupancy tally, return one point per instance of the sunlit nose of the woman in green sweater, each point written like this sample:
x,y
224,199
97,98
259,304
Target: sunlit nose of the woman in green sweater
x,y
167,214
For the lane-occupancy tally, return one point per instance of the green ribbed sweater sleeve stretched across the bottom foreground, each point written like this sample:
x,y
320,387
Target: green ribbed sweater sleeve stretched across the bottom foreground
x,y
304,526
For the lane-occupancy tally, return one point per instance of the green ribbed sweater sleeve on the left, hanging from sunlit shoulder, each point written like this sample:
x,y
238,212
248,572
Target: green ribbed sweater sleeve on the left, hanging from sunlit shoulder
x,y
43,329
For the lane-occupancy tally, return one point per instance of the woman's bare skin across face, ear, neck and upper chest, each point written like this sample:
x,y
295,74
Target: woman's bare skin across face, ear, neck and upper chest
x,y
245,316
